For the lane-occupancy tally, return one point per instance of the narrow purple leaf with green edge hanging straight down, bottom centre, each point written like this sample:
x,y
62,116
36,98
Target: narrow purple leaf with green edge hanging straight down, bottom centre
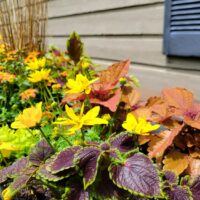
x,y
88,160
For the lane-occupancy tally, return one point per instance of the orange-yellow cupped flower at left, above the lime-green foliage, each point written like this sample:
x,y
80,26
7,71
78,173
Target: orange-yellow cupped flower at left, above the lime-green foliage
x,y
29,118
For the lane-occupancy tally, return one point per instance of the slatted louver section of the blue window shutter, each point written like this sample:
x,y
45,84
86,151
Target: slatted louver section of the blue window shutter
x,y
185,16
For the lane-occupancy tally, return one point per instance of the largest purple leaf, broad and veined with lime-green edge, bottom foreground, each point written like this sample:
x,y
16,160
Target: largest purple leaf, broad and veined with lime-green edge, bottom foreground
x,y
137,174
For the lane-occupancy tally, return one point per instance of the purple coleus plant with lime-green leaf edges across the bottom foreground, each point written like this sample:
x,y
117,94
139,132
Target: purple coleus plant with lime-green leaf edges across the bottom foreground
x,y
115,164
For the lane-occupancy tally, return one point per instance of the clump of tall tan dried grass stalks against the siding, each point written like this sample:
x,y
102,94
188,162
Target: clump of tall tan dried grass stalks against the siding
x,y
23,23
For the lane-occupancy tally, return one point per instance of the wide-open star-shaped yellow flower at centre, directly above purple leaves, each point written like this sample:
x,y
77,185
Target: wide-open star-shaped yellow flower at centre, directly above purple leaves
x,y
78,121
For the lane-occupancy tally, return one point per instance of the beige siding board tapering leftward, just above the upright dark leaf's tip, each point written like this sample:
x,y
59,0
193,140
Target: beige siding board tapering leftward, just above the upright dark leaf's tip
x,y
143,20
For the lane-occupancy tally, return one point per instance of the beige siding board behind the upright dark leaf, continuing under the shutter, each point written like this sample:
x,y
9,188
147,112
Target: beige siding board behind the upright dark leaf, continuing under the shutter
x,y
143,50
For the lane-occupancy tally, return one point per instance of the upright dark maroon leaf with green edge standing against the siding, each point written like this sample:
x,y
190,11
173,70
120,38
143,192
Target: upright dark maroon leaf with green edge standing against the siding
x,y
75,47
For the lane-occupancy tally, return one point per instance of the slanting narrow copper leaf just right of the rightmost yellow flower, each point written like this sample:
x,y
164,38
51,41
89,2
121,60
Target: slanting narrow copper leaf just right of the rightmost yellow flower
x,y
162,141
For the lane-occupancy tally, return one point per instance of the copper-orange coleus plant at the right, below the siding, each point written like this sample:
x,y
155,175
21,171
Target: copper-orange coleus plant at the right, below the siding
x,y
177,110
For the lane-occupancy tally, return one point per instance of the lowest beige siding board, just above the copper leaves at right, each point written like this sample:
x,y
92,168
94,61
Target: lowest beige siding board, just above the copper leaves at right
x,y
153,80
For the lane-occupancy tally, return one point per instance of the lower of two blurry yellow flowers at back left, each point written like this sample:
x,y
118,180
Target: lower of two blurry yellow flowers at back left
x,y
38,76
